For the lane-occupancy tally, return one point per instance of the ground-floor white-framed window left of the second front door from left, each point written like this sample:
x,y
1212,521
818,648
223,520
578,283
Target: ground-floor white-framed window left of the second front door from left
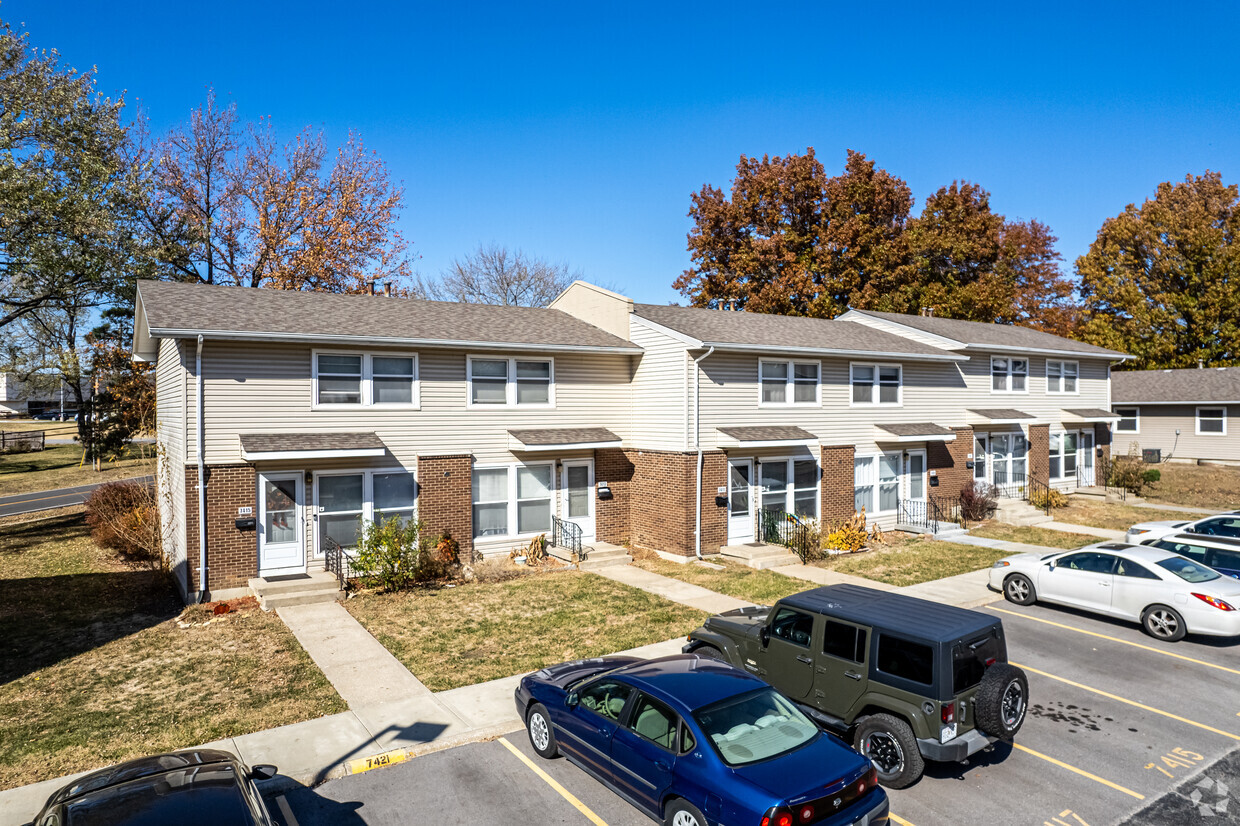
x,y
513,497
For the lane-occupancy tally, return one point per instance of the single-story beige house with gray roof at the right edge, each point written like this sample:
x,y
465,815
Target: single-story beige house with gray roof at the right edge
x,y
1186,415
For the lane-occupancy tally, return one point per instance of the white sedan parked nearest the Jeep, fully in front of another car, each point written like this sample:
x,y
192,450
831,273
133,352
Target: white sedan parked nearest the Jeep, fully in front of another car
x,y
1167,593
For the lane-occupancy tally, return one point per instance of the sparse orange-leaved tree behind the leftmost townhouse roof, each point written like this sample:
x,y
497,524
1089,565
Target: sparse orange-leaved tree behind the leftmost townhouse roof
x,y
235,205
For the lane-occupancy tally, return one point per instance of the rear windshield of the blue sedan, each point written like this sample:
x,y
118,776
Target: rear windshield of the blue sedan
x,y
756,727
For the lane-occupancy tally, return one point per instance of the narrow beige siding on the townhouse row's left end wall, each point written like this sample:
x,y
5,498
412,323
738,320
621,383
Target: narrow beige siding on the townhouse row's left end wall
x,y
170,384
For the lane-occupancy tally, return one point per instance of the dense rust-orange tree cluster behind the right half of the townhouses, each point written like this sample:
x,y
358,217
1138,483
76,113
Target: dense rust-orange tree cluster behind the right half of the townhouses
x,y
792,240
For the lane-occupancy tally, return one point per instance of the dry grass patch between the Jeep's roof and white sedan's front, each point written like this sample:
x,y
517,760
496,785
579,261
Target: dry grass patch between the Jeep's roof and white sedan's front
x,y
910,562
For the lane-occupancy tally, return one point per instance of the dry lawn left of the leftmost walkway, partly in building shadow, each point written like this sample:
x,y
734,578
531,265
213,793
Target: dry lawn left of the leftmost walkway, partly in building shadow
x,y
99,664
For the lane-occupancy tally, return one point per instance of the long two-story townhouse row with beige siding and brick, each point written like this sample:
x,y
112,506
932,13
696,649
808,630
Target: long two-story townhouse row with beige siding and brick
x,y
662,427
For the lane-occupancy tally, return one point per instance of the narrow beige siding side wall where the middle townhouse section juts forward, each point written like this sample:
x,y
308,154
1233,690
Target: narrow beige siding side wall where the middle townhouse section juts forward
x,y
660,400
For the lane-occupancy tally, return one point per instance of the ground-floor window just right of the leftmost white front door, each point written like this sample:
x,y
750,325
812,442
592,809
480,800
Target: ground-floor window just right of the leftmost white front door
x,y
347,499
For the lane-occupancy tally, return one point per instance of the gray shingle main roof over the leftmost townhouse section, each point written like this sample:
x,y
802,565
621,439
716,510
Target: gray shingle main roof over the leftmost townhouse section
x,y
182,311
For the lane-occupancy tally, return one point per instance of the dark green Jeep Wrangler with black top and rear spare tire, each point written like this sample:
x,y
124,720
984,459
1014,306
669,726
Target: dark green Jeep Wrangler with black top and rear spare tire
x,y
911,680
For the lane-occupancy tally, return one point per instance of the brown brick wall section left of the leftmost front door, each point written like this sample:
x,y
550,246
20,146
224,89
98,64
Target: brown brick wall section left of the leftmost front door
x,y
232,555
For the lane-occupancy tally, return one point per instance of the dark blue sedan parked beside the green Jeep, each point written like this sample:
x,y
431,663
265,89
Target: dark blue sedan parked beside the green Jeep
x,y
696,742
